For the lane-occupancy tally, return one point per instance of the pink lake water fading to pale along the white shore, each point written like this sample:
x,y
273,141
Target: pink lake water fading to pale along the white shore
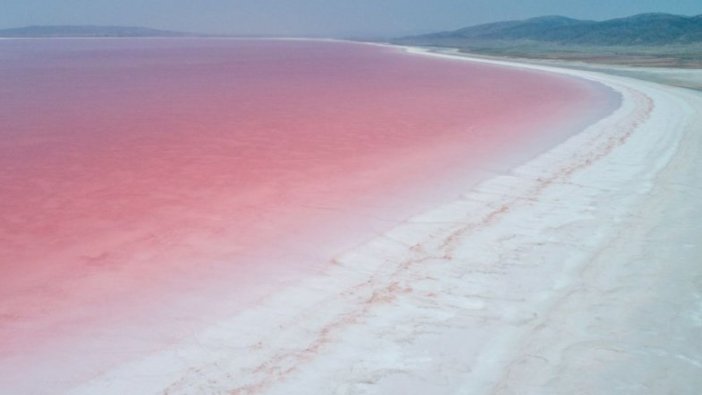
x,y
150,186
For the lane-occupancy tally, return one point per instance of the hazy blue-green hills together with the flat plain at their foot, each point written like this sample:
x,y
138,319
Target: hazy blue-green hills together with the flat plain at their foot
x,y
656,40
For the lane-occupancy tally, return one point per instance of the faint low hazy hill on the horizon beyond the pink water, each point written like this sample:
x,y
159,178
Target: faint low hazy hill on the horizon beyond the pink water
x,y
88,31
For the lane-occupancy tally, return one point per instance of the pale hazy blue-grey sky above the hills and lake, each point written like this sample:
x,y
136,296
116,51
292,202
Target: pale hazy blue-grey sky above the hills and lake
x,y
318,17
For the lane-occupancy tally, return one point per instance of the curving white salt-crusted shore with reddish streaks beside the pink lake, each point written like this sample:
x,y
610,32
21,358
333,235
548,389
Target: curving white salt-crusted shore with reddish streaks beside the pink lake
x,y
578,272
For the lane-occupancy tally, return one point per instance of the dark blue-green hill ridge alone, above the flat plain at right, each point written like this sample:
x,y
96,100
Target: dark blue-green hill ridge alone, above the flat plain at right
x,y
643,29
